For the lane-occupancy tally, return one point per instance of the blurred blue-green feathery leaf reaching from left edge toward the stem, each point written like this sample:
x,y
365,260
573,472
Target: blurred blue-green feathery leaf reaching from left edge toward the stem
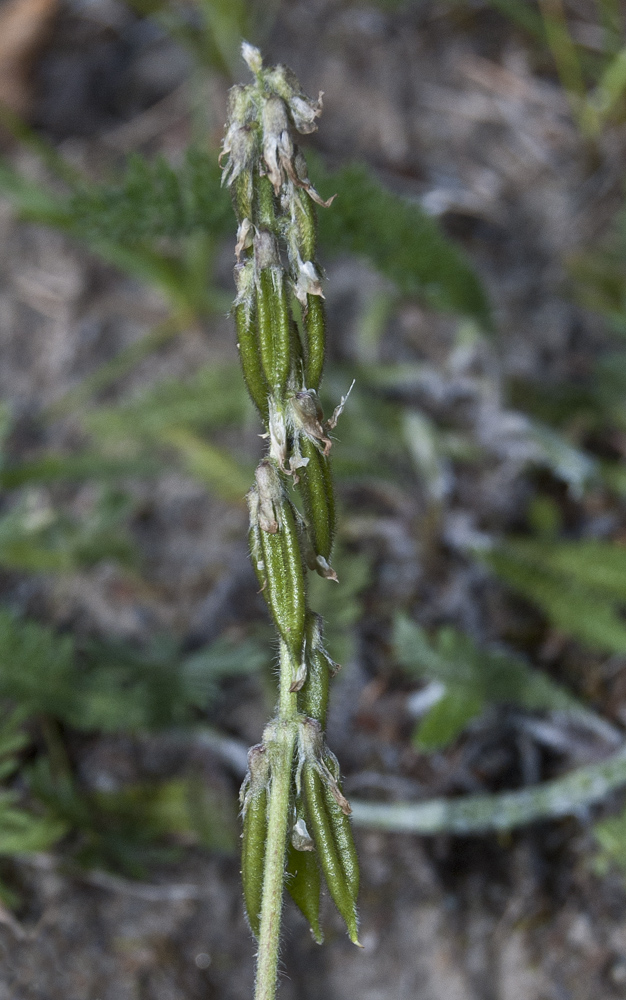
x,y
113,687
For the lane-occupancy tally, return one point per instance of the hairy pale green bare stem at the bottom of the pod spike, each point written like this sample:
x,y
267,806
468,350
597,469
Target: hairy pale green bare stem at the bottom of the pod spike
x,y
282,749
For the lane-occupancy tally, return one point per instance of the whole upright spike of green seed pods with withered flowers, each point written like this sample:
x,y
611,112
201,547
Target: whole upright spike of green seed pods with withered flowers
x,y
280,320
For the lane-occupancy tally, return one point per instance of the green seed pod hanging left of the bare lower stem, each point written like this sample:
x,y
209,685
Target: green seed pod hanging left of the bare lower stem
x,y
254,809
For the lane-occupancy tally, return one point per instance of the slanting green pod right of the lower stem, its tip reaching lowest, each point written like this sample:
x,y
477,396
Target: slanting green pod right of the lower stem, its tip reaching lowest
x,y
319,823
